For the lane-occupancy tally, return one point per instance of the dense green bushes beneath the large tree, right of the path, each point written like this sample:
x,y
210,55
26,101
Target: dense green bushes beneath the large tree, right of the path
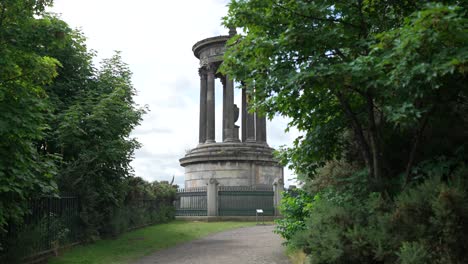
x,y
427,223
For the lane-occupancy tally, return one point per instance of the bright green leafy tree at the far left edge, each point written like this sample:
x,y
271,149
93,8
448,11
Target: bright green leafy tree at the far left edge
x,y
23,108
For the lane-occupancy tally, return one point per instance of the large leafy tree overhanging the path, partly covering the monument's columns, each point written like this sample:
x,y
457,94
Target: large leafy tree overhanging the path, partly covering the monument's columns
x,y
372,74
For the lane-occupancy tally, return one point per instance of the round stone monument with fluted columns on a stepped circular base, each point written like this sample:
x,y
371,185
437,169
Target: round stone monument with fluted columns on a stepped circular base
x,y
245,161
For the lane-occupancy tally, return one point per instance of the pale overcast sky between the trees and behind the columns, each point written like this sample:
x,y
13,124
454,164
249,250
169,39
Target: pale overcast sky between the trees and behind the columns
x,y
156,39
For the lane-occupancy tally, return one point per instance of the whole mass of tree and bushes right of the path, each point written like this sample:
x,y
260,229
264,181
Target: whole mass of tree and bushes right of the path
x,y
379,90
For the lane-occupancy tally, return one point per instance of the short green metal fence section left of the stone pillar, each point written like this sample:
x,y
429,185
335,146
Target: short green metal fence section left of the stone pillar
x,y
191,202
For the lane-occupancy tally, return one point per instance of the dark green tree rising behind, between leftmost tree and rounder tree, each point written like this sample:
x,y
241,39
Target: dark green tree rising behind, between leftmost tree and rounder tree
x,y
75,77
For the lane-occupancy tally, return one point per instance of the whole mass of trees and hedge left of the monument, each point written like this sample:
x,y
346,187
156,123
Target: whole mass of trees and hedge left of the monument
x,y
65,125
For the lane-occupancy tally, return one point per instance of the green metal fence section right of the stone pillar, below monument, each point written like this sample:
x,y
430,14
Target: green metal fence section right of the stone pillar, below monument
x,y
244,200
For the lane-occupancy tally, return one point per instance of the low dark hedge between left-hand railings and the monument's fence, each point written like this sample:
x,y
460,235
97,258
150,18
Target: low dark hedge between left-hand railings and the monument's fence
x,y
138,203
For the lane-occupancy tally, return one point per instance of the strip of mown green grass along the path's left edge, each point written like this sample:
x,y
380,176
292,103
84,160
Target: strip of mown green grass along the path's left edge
x,y
138,243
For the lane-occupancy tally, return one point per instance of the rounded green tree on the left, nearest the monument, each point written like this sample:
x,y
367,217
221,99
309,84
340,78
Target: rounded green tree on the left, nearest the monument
x,y
94,135
